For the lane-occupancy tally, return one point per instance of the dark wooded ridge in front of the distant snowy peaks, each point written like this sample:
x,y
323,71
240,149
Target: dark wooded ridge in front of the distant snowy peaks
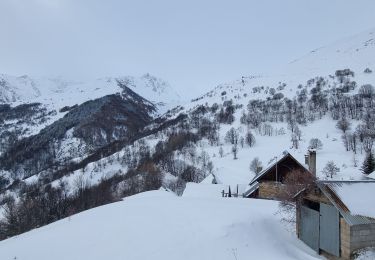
x,y
96,123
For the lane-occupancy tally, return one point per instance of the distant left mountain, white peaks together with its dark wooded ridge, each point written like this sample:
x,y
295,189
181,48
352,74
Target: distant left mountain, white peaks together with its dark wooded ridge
x,y
54,110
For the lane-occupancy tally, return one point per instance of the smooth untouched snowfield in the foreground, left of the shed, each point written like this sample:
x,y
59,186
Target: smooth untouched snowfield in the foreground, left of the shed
x,y
159,225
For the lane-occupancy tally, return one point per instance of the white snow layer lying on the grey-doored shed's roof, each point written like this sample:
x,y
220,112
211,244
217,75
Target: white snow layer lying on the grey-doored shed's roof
x,y
358,197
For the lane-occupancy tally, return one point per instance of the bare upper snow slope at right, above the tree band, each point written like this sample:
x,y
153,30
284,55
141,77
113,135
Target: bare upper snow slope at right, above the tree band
x,y
356,52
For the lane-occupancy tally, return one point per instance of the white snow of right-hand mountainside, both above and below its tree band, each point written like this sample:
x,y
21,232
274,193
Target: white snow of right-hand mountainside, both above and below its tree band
x,y
356,53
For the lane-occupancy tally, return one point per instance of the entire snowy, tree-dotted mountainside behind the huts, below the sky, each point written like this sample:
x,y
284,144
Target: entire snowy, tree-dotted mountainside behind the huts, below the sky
x,y
114,145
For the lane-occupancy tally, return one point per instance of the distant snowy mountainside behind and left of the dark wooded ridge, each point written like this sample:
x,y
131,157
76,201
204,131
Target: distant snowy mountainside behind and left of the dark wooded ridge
x,y
39,102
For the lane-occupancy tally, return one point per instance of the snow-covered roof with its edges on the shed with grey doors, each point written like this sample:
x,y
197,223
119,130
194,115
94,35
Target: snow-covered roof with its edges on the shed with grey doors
x,y
354,199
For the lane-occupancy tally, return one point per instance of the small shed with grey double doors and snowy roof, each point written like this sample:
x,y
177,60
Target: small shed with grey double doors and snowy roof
x,y
337,217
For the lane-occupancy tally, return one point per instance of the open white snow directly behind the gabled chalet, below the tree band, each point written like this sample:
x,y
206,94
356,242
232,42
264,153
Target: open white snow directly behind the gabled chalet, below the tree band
x,y
268,148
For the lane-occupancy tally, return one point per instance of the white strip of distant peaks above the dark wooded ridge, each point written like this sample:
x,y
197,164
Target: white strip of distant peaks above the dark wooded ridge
x,y
58,92
